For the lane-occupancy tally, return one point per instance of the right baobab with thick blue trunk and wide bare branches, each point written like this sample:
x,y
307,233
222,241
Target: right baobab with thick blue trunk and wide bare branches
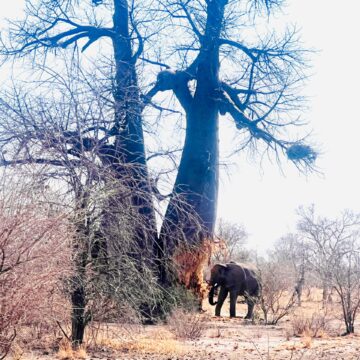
x,y
254,85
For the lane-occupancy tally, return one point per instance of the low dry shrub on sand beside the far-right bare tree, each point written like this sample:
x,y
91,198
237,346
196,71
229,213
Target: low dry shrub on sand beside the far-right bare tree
x,y
315,326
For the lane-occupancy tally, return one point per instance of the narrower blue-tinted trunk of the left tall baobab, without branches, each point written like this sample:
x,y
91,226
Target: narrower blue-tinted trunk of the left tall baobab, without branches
x,y
128,159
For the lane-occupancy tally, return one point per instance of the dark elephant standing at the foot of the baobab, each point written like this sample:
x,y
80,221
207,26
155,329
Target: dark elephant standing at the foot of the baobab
x,y
236,280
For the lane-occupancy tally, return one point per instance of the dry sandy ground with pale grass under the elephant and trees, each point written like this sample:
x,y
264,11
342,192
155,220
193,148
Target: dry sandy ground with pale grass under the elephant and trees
x,y
222,338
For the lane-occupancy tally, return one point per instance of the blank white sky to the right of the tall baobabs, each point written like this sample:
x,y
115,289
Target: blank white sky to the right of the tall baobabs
x,y
264,200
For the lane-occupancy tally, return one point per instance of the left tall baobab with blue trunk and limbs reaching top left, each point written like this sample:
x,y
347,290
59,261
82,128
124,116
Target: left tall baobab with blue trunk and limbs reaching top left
x,y
52,25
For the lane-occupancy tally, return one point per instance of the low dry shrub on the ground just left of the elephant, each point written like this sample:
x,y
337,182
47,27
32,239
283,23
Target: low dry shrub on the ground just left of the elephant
x,y
186,325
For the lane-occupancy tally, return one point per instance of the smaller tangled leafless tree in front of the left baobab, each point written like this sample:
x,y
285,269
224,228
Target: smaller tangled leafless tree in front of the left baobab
x,y
110,264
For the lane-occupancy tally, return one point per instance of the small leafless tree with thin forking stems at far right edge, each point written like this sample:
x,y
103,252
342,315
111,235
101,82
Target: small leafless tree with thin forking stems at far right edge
x,y
326,241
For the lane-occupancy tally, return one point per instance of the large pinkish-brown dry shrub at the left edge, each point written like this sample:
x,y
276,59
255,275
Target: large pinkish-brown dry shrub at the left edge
x,y
34,252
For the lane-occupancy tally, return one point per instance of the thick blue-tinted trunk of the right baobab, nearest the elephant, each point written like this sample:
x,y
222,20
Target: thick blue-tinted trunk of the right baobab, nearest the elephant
x,y
191,213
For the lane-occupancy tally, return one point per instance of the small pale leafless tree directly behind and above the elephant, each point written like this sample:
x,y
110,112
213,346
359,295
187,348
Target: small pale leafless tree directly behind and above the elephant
x,y
231,242
